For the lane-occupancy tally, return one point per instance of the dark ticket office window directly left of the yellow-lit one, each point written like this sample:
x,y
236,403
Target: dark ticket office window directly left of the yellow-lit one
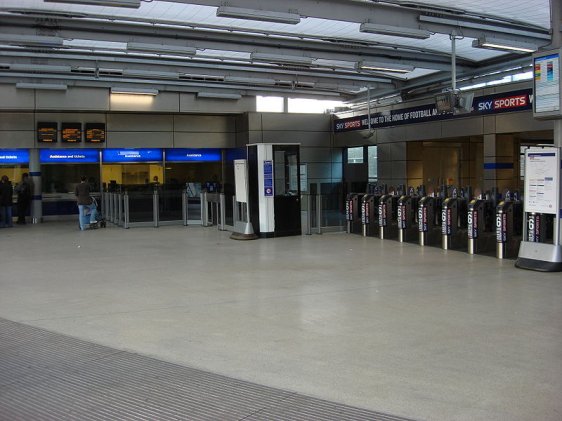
x,y
63,178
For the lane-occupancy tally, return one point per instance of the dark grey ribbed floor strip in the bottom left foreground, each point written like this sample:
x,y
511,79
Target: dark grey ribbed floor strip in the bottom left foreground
x,y
48,376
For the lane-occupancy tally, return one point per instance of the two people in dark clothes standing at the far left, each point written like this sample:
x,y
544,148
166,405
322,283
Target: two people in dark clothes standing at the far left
x,y
24,193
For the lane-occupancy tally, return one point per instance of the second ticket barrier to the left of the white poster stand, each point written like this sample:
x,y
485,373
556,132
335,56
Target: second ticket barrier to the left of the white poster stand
x,y
481,237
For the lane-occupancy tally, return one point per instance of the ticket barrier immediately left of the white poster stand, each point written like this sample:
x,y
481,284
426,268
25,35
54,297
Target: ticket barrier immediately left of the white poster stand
x,y
509,215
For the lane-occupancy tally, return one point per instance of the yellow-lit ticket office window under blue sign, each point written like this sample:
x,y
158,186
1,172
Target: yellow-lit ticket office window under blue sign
x,y
137,174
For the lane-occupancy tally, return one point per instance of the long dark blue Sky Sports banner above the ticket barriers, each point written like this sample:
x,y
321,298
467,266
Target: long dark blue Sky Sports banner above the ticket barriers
x,y
489,104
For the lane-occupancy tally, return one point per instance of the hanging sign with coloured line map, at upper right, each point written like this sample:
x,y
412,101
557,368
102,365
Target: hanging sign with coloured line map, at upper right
x,y
546,84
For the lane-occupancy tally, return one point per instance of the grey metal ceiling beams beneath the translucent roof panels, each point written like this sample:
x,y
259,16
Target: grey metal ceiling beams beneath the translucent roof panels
x,y
325,67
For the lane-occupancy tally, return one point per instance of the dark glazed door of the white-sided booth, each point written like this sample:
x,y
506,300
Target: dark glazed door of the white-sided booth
x,y
287,205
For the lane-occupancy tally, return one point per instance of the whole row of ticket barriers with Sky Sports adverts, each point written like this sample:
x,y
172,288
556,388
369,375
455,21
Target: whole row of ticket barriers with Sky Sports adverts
x,y
450,218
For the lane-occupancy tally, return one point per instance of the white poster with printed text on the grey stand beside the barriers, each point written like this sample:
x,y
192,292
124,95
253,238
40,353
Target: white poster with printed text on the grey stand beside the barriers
x,y
542,180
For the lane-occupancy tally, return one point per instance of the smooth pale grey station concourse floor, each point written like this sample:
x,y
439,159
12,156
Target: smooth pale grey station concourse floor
x,y
414,332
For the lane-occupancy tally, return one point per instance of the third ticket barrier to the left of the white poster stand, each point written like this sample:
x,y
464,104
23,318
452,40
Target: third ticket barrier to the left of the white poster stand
x,y
454,224
